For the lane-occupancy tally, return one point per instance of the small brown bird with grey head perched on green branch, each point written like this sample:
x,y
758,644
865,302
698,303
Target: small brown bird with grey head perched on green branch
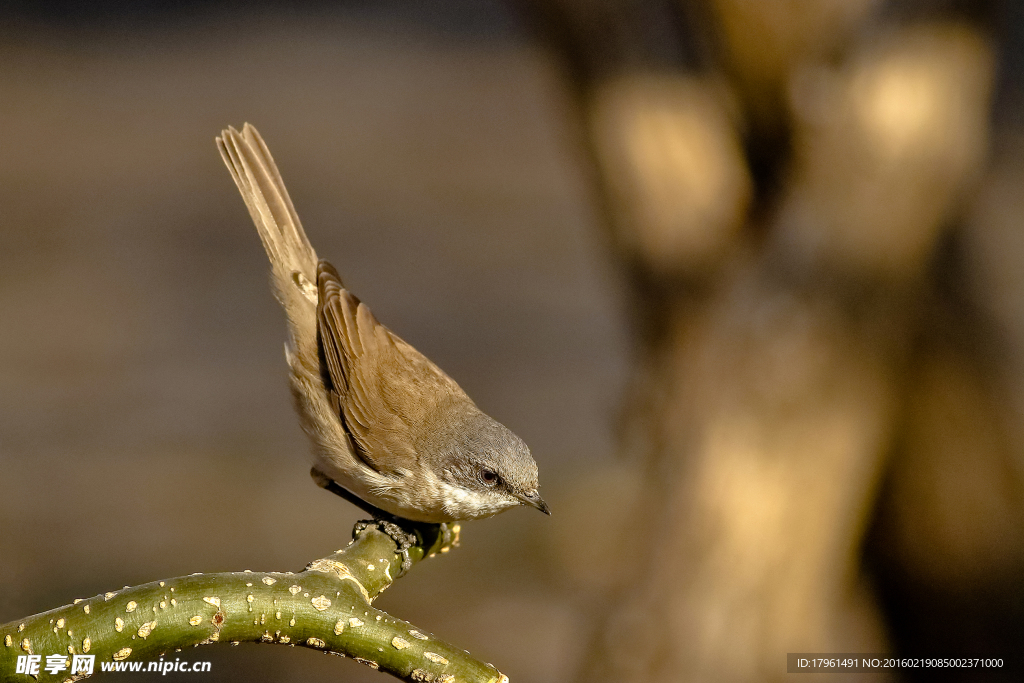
x,y
388,425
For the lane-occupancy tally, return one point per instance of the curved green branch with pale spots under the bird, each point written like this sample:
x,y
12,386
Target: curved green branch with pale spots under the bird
x,y
328,608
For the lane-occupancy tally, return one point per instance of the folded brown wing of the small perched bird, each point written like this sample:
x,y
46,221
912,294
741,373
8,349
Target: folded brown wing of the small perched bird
x,y
382,389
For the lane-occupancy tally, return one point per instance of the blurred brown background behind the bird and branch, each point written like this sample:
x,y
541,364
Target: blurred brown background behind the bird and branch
x,y
759,262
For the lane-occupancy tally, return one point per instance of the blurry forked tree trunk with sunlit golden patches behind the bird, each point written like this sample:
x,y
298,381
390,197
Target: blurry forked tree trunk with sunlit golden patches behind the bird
x,y
777,187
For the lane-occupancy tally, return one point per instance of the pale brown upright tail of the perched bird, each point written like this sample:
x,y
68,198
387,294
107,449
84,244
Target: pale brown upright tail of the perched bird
x,y
293,262
